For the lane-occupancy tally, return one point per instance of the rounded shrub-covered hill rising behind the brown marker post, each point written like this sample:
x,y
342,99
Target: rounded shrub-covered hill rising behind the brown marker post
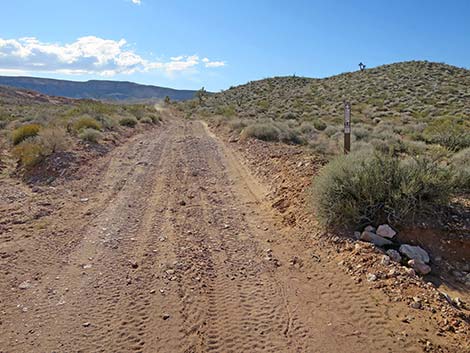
x,y
402,105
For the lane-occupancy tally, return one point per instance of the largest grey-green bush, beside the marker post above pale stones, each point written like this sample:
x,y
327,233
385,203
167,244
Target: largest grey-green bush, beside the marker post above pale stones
x,y
362,188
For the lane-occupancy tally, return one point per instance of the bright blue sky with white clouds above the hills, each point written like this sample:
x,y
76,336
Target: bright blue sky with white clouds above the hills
x,y
217,44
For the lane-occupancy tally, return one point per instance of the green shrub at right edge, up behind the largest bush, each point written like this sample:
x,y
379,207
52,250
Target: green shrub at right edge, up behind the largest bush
x,y
449,132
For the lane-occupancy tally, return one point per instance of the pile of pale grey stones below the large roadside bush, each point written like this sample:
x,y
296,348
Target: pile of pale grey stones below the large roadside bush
x,y
414,257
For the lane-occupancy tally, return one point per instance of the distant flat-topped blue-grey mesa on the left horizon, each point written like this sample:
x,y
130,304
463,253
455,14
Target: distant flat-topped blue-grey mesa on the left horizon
x,y
94,89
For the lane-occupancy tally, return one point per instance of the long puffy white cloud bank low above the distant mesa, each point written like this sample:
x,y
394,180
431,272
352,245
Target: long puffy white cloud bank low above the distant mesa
x,y
89,55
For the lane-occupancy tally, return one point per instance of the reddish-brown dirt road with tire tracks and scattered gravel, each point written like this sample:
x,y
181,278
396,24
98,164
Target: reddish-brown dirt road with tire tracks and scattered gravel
x,y
169,246
